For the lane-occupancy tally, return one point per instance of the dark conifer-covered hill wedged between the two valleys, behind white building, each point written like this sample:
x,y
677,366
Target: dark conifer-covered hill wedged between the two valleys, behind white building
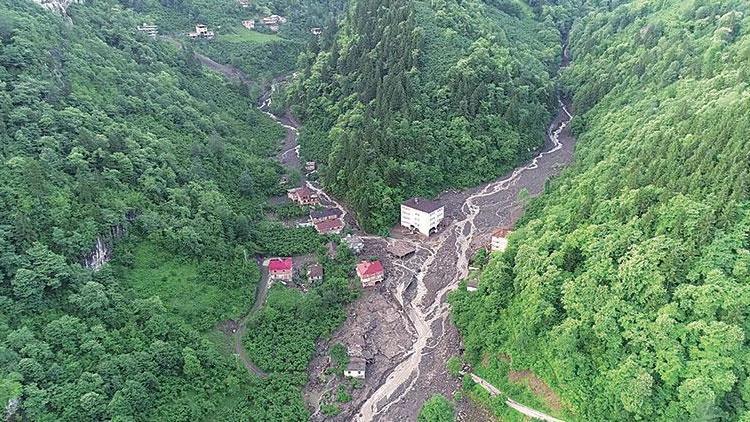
x,y
413,97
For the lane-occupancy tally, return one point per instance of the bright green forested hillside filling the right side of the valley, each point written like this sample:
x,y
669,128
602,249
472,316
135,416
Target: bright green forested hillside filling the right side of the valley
x,y
627,285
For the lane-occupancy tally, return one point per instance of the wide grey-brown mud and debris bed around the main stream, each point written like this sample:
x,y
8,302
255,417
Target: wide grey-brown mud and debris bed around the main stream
x,y
403,325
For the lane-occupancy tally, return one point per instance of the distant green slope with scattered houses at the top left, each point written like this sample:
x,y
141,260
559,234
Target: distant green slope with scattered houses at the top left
x,y
259,52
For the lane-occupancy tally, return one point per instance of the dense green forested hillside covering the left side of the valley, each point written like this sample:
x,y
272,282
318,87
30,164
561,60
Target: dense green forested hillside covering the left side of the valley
x,y
102,127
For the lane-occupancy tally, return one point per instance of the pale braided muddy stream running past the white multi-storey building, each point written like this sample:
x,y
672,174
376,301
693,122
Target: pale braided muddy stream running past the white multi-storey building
x,y
446,264
